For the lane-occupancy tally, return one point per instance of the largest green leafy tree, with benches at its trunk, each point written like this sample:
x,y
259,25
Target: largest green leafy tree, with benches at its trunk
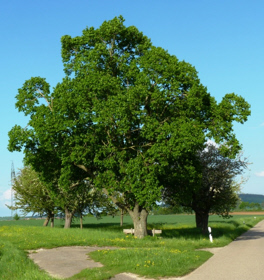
x,y
125,110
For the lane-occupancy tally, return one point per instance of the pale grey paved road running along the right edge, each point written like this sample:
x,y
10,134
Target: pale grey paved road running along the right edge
x,y
242,259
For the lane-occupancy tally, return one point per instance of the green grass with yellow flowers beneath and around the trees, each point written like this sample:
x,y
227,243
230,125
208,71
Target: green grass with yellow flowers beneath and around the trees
x,y
173,253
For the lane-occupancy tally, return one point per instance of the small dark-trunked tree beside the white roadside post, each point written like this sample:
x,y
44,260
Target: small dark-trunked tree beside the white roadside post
x,y
207,185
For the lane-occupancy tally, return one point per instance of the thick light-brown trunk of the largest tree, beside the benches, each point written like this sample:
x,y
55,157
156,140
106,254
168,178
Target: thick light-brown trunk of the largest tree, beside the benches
x,y
139,216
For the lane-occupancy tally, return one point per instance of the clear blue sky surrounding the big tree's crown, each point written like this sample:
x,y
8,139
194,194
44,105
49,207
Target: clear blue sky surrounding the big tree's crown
x,y
223,39
